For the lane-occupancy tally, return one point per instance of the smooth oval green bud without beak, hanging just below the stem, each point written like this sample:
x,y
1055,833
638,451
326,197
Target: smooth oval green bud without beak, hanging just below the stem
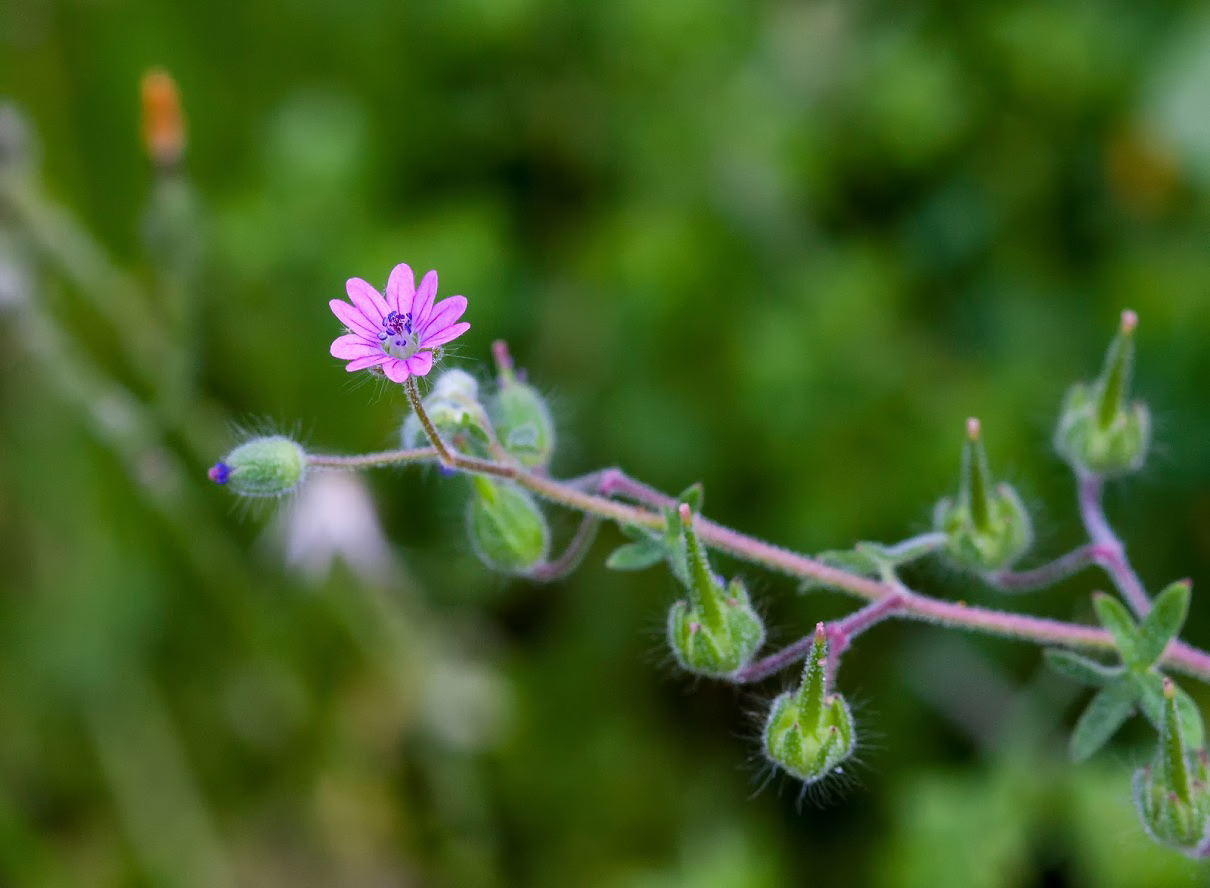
x,y
506,527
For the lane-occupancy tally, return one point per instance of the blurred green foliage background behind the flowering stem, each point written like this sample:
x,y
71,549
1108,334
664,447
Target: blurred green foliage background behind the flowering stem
x,y
783,249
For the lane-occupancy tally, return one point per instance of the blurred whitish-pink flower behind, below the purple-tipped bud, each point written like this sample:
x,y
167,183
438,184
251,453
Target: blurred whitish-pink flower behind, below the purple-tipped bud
x,y
333,517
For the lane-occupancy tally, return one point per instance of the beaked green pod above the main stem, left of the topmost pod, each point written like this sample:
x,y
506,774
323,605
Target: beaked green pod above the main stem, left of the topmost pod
x,y
987,527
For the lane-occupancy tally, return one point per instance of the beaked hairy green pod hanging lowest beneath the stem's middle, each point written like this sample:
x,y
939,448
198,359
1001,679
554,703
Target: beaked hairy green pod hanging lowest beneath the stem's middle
x,y
810,731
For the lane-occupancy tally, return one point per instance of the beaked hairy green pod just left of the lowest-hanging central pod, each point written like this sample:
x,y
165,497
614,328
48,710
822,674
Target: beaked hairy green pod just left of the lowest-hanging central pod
x,y
717,631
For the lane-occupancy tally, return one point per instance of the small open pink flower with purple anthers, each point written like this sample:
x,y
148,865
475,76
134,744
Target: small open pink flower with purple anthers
x,y
401,332
